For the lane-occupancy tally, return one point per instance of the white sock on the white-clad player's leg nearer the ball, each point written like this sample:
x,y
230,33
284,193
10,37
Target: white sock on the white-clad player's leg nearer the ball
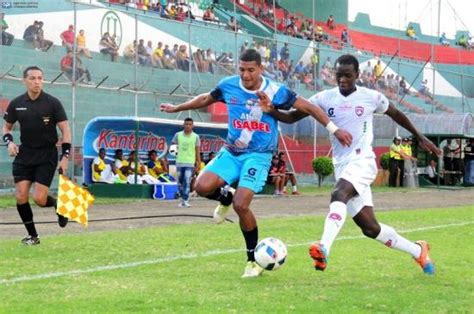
x,y
333,224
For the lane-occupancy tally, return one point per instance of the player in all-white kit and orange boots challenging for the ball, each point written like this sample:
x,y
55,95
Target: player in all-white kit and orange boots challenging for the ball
x,y
352,108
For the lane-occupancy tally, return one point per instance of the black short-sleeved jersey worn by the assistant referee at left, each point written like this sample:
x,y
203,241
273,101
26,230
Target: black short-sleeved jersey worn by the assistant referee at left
x,y
37,119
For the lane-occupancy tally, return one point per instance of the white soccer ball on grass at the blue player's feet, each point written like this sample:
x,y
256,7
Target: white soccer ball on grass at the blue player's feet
x,y
270,253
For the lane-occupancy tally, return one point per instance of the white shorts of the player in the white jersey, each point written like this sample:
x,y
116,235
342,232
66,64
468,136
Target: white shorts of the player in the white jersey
x,y
360,173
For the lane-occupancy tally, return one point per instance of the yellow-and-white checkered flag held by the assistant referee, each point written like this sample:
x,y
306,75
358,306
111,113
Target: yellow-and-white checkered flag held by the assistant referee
x,y
73,200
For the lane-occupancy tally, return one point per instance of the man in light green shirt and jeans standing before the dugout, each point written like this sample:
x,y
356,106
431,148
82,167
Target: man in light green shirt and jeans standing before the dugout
x,y
188,159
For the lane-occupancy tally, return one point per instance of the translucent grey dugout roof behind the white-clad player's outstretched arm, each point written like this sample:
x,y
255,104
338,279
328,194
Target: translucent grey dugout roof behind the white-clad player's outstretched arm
x,y
439,125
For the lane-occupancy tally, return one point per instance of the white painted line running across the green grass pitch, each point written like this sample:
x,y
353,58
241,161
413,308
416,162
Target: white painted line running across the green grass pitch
x,y
190,256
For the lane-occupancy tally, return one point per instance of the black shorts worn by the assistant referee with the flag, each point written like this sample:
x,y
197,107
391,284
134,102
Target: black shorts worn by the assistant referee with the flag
x,y
35,165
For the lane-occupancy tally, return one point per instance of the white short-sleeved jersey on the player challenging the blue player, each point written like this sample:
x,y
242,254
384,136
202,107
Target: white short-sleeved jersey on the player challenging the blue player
x,y
353,113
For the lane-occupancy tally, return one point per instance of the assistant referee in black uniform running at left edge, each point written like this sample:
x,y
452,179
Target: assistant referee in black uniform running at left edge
x,y
36,158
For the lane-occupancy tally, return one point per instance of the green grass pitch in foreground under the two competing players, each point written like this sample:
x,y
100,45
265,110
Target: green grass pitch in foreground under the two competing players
x,y
196,268
